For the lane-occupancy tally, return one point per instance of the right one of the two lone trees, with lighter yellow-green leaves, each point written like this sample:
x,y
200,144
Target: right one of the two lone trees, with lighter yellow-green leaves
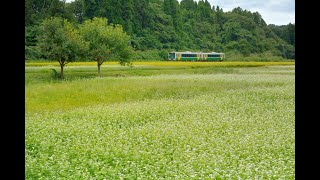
x,y
105,41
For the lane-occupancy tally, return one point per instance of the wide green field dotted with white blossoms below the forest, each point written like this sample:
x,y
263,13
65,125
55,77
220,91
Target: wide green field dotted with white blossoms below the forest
x,y
164,121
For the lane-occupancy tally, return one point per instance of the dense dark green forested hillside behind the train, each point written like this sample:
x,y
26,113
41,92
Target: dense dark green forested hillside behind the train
x,y
169,25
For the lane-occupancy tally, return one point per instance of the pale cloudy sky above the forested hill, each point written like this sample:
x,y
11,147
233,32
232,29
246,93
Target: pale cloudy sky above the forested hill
x,y
278,12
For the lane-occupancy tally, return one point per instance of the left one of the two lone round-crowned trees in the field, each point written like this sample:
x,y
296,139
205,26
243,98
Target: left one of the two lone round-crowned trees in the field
x,y
60,41
